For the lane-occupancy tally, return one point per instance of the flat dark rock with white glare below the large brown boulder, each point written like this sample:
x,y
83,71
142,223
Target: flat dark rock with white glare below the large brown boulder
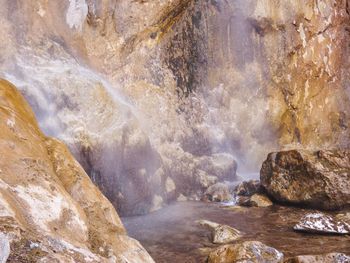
x,y
322,224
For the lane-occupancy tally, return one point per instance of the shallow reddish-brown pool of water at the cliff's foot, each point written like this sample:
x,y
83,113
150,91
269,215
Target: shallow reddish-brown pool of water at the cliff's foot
x,y
171,234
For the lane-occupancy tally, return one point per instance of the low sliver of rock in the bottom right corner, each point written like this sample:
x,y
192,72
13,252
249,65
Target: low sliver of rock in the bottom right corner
x,y
327,258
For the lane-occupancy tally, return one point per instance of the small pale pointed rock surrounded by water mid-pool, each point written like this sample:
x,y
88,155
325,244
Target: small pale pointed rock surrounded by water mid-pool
x,y
221,234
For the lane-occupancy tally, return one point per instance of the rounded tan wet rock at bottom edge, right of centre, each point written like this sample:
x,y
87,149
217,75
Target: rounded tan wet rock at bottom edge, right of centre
x,y
248,251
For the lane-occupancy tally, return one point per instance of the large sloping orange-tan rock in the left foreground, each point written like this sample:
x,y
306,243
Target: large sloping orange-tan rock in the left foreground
x,y
49,208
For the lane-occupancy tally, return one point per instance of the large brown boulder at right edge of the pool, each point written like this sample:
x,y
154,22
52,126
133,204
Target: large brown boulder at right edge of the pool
x,y
314,179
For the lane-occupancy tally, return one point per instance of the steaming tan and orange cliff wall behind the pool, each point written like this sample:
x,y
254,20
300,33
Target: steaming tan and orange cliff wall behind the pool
x,y
154,98
